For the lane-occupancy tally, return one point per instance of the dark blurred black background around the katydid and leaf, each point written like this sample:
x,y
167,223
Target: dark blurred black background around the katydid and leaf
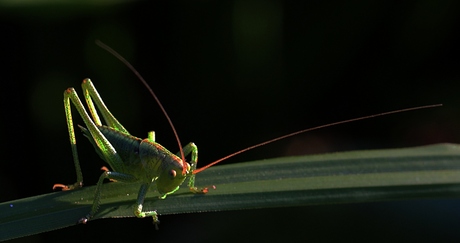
x,y
232,74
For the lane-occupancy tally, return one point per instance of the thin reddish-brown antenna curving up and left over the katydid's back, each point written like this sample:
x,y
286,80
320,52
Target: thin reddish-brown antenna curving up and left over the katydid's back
x,y
139,76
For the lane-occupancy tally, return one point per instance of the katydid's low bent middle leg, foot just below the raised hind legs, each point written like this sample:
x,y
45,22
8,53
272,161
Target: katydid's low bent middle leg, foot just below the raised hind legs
x,y
111,175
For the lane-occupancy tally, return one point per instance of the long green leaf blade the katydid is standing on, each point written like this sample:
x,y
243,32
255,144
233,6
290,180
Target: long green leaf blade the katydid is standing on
x,y
346,177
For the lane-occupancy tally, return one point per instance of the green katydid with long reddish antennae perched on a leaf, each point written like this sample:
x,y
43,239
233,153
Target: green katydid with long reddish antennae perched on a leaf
x,y
145,161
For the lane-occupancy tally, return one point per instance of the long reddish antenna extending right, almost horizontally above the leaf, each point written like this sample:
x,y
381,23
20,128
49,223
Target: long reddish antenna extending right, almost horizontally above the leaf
x,y
310,129
